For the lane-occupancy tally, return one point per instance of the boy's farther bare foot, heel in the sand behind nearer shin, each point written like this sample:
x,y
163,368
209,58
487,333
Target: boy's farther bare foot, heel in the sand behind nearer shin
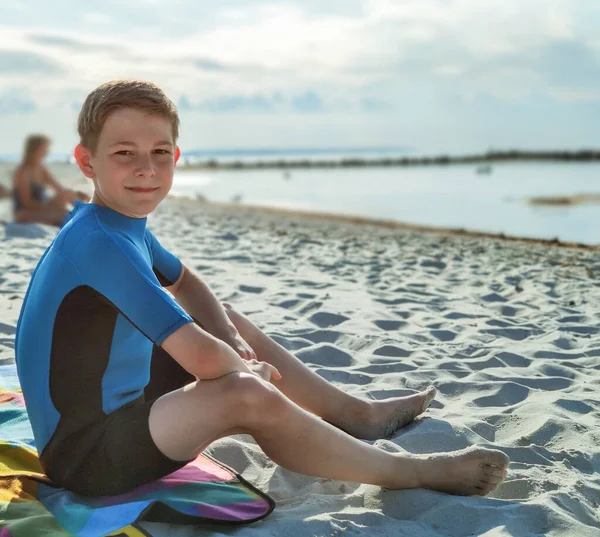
x,y
383,418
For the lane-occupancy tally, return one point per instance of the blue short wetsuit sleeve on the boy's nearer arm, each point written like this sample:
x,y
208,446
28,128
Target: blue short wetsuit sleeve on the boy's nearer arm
x,y
118,270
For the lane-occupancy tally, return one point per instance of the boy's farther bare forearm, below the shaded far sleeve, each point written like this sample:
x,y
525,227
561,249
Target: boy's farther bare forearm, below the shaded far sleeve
x,y
198,300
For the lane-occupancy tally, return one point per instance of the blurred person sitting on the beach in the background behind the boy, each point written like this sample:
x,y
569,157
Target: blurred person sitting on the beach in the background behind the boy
x,y
32,201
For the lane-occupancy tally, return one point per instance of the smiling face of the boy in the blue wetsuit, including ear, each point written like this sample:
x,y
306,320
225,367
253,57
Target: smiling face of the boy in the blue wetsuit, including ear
x,y
133,165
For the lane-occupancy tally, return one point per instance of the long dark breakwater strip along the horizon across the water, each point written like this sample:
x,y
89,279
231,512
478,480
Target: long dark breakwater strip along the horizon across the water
x,y
491,157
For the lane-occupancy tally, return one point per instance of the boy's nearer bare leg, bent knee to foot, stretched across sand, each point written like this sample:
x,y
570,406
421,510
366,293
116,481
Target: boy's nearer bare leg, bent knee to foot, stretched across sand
x,y
184,422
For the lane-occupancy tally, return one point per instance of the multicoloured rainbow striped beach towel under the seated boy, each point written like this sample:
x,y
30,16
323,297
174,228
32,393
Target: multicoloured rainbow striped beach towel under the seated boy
x,y
204,492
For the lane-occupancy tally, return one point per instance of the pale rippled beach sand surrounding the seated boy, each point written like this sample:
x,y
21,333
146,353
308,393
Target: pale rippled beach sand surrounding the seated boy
x,y
509,333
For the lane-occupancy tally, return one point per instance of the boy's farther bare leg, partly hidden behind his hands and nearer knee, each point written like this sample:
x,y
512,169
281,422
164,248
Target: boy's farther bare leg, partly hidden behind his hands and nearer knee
x,y
359,417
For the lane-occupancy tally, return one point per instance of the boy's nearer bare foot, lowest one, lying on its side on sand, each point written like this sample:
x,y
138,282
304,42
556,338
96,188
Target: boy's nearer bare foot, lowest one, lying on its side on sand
x,y
470,472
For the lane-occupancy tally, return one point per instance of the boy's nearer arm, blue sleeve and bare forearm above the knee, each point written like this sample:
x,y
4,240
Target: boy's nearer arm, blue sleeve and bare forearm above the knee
x,y
139,296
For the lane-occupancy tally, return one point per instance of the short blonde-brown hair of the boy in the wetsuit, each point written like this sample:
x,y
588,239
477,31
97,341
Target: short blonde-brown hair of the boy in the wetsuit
x,y
107,98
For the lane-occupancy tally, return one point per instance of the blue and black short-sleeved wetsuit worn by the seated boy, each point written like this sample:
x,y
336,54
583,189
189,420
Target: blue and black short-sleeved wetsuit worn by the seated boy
x,y
93,316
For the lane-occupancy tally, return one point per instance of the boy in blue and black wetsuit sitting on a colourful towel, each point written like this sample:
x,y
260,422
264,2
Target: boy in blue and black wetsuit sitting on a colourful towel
x,y
123,385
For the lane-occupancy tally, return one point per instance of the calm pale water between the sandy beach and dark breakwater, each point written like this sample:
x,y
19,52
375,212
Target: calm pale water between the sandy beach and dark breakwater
x,y
451,196
